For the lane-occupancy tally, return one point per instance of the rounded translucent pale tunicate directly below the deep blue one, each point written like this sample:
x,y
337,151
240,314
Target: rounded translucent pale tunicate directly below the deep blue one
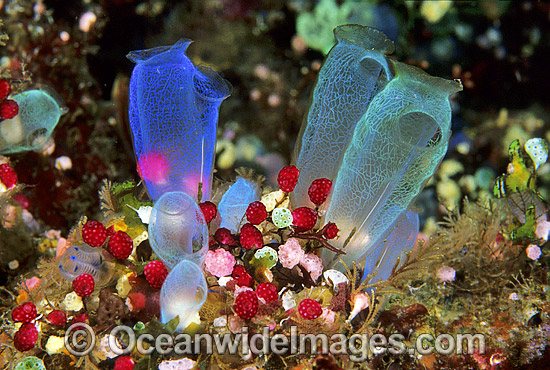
x,y
177,229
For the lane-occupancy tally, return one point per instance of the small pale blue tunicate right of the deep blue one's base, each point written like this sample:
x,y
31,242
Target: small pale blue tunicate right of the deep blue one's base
x,y
235,201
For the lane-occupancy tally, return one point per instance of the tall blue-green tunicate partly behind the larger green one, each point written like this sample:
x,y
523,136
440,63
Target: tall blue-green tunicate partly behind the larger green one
x,y
354,71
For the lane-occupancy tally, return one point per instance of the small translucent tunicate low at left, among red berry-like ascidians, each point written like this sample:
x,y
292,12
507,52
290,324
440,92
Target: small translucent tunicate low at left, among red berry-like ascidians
x,y
82,259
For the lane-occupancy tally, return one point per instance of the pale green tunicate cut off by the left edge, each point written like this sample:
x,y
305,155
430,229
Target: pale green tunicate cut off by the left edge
x,y
39,112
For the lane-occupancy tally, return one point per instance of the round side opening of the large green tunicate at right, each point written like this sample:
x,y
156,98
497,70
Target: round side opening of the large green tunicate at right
x,y
419,129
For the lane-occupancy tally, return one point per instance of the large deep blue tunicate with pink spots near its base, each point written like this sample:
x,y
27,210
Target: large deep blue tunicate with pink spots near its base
x,y
173,116
